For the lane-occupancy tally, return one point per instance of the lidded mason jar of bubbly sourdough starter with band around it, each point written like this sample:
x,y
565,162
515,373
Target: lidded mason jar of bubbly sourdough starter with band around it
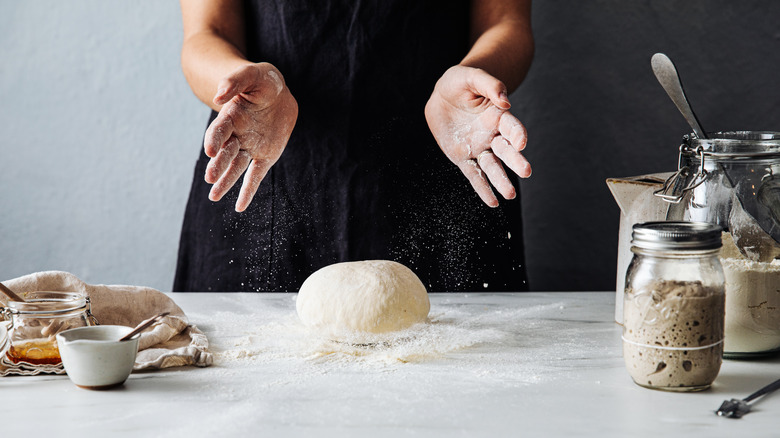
x,y
673,309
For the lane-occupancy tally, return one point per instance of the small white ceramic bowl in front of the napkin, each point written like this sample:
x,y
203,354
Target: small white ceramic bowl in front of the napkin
x,y
94,358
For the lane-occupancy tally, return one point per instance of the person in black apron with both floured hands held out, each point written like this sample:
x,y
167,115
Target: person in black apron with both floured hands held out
x,y
327,108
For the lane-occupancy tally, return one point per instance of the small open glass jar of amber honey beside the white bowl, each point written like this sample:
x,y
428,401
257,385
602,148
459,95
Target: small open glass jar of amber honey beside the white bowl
x,y
35,322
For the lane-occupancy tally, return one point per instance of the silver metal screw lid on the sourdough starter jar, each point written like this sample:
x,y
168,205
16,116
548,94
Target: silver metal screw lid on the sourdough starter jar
x,y
677,235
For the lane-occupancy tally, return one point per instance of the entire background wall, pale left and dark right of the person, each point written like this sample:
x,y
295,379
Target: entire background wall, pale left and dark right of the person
x,y
100,131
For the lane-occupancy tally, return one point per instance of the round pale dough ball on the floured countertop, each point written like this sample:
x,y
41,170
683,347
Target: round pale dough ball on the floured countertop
x,y
373,296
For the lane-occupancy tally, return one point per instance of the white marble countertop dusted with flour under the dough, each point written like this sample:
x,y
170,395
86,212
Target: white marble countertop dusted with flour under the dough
x,y
531,364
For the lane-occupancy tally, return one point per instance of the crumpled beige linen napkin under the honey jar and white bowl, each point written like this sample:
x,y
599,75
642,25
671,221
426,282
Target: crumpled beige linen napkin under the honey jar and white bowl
x,y
172,342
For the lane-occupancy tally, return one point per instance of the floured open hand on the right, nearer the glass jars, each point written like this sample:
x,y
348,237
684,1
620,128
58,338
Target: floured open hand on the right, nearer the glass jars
x,y
468,114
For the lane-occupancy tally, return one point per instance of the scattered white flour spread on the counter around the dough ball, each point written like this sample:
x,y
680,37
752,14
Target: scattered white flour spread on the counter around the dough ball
x,y
490,341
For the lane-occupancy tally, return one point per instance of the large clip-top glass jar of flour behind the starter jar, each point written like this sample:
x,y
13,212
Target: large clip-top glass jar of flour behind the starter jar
x,y
733,179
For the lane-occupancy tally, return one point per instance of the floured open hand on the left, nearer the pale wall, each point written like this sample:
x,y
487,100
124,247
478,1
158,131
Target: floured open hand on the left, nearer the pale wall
x,y
251,131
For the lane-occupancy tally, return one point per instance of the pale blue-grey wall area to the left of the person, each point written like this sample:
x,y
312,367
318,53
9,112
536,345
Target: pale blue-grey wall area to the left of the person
x,y
100,133
